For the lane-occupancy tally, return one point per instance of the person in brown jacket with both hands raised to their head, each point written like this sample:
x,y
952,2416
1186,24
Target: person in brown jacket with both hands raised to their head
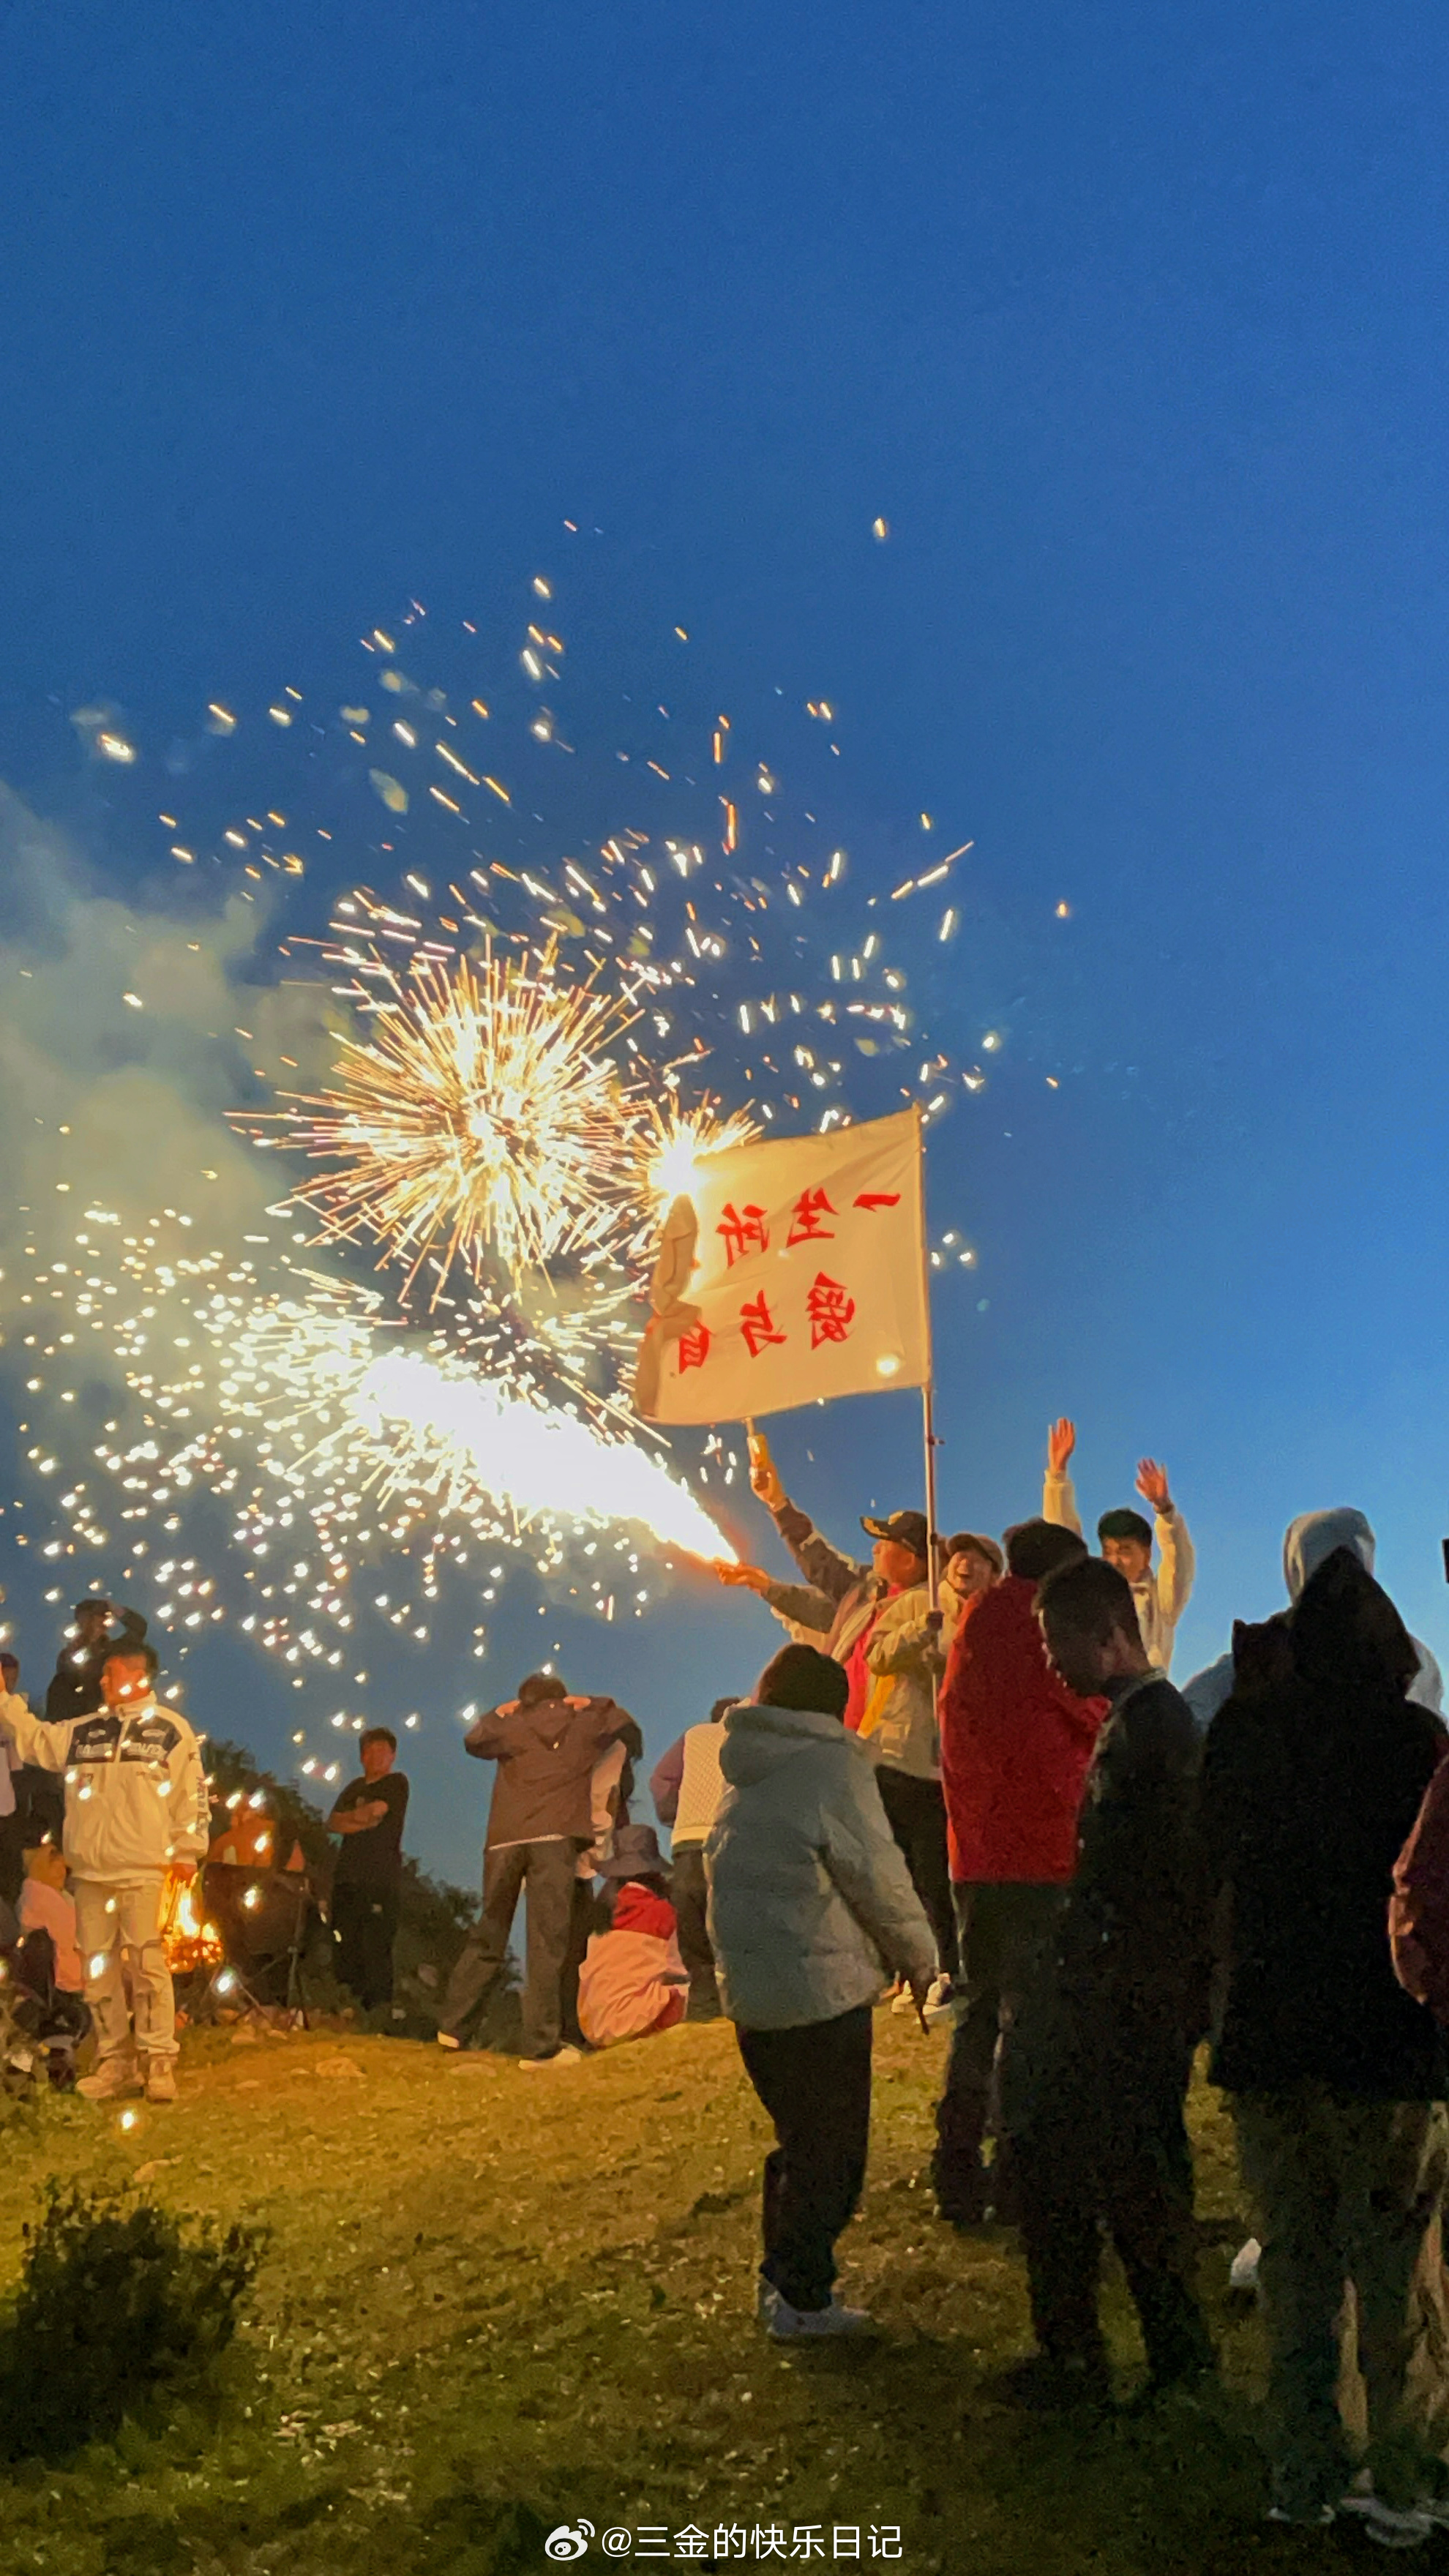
x,y
540,1820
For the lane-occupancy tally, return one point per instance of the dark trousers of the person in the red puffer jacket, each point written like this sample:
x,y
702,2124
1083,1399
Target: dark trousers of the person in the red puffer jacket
x,y
1007,1949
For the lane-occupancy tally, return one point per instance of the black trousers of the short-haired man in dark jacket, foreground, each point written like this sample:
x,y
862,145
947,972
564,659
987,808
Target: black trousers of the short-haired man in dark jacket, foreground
x,y
1105,2145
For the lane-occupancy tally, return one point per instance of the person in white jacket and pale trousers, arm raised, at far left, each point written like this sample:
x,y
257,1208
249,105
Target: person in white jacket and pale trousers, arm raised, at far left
x,y
135,1807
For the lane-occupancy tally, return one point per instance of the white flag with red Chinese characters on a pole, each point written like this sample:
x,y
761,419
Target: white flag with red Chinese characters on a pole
x,y
793,1271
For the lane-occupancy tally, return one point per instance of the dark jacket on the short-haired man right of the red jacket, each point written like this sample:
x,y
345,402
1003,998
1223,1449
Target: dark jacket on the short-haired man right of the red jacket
x,y
1133,1928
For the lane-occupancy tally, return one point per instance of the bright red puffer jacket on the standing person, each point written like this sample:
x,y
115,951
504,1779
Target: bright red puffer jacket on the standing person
x,y
1015,1745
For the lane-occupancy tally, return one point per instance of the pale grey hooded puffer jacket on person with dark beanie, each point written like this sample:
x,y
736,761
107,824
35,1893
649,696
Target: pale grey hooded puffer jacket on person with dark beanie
x,y
811,1905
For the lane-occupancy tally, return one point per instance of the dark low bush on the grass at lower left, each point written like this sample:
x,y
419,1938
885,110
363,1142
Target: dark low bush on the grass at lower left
x,y
120,2304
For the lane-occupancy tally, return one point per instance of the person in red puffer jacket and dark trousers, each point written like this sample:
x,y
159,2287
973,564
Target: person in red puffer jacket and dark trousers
x,y
1015,1756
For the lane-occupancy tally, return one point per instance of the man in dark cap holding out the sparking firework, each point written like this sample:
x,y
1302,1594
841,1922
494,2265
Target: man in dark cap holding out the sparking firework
x,y
857,1616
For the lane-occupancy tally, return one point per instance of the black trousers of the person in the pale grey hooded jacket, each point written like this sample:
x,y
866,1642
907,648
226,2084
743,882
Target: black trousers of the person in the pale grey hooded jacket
x,y
816,2085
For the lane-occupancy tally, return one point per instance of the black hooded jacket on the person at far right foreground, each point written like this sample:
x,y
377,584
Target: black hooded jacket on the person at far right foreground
x,y
1308,1797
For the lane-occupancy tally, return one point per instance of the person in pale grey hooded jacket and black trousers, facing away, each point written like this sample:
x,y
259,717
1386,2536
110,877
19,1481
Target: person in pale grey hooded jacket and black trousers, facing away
x,y
811,1910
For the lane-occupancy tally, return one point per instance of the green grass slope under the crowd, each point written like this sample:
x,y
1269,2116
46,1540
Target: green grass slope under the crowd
x,y
501,2302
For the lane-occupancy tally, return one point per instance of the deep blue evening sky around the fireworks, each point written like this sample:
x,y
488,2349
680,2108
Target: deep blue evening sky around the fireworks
x,y
1133,326
